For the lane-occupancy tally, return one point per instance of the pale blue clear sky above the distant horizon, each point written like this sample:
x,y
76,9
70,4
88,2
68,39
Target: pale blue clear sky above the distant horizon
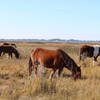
x,y
47,19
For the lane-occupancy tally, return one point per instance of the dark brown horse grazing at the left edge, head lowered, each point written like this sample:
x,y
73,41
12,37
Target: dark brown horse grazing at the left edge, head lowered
x,y
9,50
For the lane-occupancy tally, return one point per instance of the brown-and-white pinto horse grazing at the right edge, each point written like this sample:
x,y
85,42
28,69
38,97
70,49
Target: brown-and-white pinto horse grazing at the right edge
x,y
89,51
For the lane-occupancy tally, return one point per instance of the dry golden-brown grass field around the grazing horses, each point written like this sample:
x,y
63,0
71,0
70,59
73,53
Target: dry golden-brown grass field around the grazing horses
x,y
15,83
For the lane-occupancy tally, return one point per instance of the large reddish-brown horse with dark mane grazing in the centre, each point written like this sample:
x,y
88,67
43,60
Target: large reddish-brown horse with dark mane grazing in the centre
x,y
55,59
